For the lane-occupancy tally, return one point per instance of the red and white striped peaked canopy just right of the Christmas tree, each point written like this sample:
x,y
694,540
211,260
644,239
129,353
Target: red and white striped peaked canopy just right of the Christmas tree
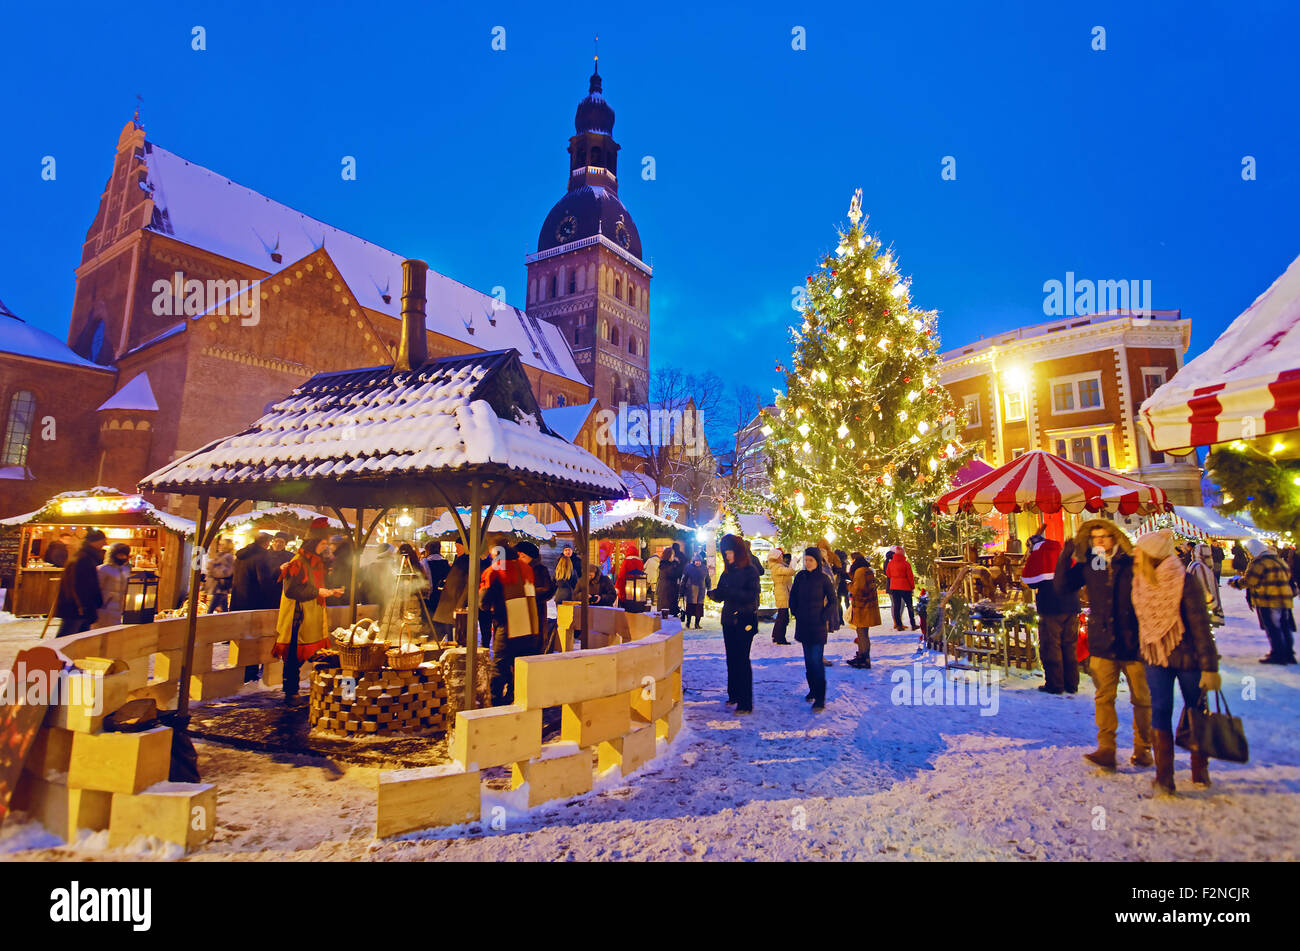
x,y
1042,483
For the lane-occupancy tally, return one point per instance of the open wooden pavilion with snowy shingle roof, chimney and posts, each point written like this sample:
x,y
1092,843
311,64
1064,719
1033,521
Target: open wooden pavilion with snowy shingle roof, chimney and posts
x,y
439,433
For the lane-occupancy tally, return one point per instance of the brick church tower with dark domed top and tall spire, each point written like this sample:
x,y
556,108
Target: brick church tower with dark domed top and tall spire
x,y
588,276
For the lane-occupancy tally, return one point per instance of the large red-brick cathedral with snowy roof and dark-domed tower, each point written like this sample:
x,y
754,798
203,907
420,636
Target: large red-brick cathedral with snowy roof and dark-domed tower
x,y
201,302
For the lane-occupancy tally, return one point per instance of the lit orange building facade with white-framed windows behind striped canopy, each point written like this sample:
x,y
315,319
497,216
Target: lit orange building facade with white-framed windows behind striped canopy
x,y
1073,388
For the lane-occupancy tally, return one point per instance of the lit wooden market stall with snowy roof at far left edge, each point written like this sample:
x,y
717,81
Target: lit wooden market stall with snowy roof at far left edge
x,y
158,541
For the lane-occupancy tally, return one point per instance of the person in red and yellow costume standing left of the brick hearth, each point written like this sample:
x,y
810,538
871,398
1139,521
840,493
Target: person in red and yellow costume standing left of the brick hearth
x,y
302,627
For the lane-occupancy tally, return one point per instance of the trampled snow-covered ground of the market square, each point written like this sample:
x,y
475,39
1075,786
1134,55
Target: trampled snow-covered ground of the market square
x,y
868,779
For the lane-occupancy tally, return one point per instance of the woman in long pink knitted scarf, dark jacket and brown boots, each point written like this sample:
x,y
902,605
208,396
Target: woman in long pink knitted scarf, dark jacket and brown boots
x,y
1176,642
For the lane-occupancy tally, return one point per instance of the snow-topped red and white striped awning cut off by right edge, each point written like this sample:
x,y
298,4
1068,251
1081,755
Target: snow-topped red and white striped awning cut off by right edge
x,y
1247,385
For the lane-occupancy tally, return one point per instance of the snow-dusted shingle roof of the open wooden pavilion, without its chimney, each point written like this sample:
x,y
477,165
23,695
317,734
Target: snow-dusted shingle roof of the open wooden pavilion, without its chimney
x,y
380,424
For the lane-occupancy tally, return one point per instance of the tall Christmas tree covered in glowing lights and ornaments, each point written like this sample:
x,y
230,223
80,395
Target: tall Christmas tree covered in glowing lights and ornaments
x,y
865,437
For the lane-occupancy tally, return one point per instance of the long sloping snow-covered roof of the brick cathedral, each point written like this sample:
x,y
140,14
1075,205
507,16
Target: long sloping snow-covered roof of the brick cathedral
x,y
209,211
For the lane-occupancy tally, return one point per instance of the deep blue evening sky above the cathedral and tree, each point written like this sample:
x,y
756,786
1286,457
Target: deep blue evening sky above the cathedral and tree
x,y
1124,164
